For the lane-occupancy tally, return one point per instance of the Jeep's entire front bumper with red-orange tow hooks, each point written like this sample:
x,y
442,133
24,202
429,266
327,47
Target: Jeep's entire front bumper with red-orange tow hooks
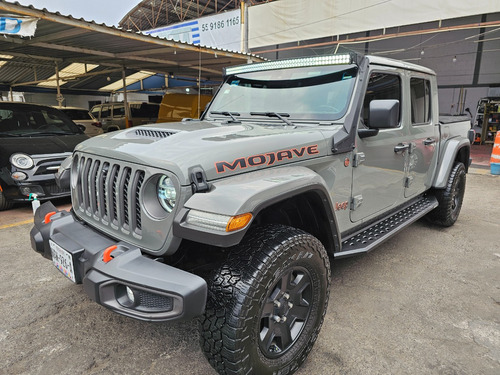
x,y
131,283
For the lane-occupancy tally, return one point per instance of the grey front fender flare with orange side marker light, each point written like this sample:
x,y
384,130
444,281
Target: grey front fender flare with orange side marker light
x,y
251,192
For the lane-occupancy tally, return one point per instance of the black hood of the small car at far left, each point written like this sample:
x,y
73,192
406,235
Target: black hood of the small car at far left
x,y
38,145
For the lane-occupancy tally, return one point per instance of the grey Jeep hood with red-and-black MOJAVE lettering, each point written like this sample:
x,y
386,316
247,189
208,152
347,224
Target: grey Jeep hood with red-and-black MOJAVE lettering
x,y
221,150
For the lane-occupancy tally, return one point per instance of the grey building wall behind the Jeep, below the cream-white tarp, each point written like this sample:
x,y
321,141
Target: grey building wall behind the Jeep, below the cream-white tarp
x,y
465,60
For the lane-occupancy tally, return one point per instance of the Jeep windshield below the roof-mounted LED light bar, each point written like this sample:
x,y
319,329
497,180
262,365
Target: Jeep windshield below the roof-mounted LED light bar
x,y
312,93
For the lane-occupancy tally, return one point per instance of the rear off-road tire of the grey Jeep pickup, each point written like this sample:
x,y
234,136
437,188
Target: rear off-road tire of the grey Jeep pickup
x,y
450,198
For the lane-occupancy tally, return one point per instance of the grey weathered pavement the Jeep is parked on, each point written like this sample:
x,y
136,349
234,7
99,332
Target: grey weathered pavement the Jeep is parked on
x,y
425,302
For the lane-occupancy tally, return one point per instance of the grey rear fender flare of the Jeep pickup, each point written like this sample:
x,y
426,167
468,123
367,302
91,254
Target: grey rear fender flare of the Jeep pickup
x,y
447,158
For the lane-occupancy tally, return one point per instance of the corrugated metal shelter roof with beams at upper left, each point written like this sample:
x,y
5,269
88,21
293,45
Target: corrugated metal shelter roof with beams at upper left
x,y
64,40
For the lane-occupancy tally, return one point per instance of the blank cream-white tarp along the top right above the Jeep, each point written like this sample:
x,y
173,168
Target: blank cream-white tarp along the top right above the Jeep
x,y
288,21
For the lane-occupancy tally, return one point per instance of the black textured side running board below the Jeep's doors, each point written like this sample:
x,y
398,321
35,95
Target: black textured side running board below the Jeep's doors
x,y
380,231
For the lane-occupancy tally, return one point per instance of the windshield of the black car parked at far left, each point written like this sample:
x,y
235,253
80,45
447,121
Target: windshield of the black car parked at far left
x,y
22,120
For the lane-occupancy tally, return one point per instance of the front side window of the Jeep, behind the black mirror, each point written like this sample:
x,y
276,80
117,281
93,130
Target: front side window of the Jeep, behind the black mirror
x,y
381,86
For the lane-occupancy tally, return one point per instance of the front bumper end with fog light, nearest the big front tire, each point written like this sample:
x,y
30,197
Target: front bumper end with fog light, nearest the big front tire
x,y
139,287
